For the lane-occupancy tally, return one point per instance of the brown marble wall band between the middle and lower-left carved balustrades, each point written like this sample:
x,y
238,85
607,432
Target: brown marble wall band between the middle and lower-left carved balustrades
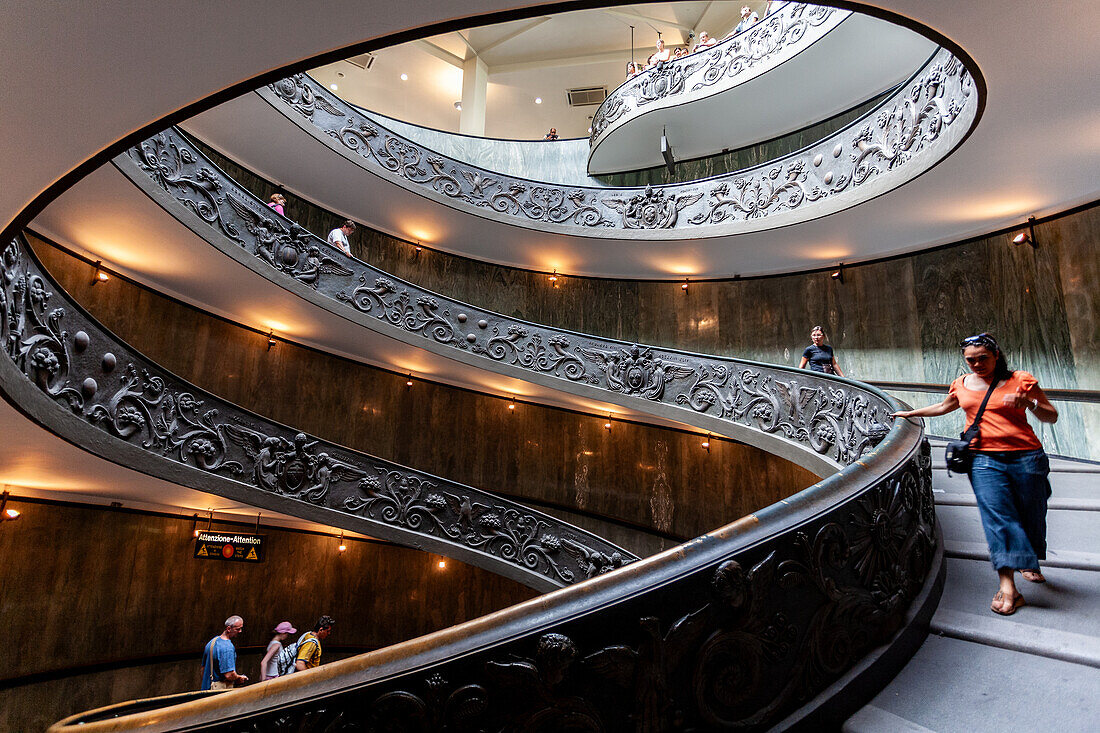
x,y
533,452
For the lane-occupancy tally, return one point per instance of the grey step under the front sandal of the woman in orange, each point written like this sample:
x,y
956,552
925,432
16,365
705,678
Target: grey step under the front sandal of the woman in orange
x,y
1070,601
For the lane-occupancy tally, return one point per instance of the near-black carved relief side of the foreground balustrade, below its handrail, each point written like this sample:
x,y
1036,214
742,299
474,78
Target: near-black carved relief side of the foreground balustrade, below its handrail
x,y
738,644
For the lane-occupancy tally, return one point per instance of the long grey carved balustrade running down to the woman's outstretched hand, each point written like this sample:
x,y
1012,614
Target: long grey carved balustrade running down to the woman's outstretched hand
x,y
817,421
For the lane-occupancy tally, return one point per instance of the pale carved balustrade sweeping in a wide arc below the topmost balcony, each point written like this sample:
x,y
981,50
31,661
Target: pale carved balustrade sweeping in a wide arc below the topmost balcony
x,y
908,134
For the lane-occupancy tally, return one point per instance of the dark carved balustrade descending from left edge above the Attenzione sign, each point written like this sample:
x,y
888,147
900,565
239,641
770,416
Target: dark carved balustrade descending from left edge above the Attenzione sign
x,y
130,411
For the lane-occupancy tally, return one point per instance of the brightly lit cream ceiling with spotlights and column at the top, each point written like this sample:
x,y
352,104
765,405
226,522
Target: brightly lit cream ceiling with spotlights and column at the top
x,y
542,57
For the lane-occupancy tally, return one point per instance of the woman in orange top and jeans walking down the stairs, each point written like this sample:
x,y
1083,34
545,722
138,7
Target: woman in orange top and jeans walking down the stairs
x,y
1010,469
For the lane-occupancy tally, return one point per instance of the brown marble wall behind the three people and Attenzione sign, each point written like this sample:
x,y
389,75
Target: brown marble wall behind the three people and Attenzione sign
x,y
125,585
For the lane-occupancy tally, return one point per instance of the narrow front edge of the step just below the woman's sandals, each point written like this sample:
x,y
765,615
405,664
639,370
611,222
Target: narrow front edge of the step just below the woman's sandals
x,y
1006,634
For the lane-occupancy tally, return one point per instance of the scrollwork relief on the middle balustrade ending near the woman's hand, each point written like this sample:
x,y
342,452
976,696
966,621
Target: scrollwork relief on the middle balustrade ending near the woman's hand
x,y
828,418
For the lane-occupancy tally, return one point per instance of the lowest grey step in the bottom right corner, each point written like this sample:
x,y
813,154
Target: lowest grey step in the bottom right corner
x,y
955,685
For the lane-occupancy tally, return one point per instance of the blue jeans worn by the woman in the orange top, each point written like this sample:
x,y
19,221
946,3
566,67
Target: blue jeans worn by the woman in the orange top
x,y
1013,489
